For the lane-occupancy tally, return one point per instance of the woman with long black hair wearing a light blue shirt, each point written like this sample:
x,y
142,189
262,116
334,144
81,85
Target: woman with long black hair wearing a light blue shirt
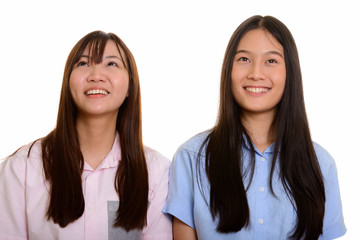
x,y
256,174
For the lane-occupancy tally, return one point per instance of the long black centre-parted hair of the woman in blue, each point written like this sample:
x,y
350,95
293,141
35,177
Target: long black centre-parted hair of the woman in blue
x,y
300,173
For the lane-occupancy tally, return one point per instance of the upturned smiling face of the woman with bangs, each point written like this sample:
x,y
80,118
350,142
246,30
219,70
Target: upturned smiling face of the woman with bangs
x,y
99,89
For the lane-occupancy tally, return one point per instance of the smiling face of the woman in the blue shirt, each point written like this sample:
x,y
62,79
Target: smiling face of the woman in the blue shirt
x,y
258,75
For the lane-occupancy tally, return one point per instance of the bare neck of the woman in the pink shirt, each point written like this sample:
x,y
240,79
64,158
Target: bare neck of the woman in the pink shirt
x,y
96,136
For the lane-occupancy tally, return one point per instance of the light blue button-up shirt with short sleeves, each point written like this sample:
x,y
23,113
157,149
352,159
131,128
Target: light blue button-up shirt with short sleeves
x,y
271,217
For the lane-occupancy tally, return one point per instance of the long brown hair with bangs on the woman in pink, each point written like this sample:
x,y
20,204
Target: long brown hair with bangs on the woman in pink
x,y
63,161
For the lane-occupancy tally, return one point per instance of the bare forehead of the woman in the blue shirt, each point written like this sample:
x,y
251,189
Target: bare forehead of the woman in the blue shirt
x,y
259,40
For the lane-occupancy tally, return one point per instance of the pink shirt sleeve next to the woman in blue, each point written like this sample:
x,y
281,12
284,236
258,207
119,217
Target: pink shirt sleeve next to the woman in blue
x,y
159,226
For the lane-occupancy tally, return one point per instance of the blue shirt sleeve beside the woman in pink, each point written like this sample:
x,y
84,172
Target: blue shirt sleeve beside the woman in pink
x,y
180,202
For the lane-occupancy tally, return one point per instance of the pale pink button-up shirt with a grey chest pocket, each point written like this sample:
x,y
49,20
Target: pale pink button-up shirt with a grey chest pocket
x,y
24,199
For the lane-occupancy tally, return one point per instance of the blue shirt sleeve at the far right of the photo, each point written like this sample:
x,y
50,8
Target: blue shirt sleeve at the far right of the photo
x,y
334,226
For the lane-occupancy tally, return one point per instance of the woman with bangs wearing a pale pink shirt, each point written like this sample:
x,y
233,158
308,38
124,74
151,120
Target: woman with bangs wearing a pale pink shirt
x,y
68,185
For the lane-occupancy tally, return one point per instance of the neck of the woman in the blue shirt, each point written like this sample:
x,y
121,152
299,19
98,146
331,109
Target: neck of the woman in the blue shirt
x,y
258,126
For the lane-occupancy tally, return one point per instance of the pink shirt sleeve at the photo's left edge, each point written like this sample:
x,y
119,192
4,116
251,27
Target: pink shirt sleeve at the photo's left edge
x,y
12,197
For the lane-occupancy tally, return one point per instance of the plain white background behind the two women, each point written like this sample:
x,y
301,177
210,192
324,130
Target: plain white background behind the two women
x,y
179,48
